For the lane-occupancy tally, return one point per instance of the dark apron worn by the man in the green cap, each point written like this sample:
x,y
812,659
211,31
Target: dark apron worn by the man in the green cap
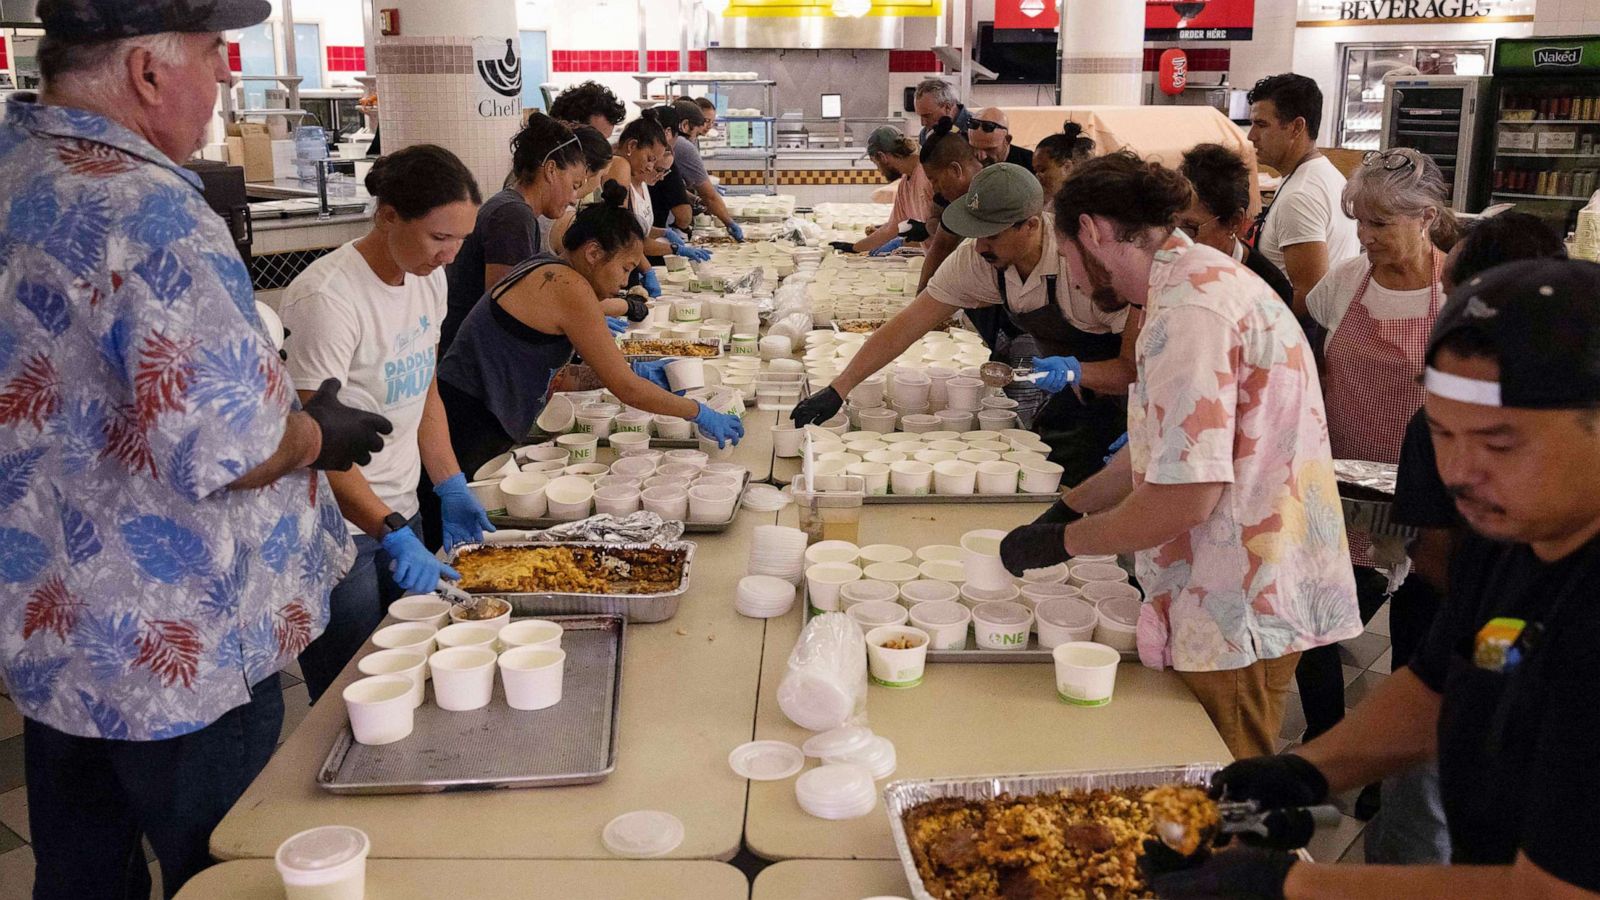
x,y
1078,432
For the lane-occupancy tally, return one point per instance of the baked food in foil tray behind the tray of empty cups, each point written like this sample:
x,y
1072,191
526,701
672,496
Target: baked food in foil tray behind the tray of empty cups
x,y
570,569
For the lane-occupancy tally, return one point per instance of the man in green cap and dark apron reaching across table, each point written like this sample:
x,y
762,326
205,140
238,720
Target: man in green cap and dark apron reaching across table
x,y
1012,263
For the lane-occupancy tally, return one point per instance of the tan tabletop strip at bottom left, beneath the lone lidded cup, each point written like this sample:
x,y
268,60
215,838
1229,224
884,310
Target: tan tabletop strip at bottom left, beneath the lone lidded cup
x,y
430,880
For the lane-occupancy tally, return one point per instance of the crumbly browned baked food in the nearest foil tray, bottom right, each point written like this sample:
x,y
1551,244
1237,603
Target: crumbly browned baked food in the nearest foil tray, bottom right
x,y
1038,848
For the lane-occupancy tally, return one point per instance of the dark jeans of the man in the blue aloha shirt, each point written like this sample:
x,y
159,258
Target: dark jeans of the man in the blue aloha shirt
x,y
90,800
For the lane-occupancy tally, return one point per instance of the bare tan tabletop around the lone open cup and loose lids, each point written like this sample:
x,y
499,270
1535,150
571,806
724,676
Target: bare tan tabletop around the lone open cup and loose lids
x,y
969,718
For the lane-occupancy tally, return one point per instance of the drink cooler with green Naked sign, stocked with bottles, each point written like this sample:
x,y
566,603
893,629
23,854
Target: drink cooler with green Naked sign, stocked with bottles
x,y
1546,151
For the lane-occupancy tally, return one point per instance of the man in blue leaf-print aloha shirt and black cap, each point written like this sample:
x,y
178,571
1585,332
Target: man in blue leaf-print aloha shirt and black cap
x,y
166,544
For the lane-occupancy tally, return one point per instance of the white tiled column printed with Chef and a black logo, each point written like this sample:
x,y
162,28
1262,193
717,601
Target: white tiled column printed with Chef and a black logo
x,y
452,78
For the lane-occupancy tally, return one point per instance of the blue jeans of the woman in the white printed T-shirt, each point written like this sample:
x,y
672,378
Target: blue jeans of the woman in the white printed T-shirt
x,y
354,611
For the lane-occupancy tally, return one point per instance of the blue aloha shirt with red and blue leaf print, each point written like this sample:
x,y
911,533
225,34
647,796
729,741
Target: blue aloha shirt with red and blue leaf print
x,y
140,600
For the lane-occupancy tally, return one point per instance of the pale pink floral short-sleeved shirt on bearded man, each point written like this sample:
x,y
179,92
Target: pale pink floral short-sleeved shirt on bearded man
x,y
1228,393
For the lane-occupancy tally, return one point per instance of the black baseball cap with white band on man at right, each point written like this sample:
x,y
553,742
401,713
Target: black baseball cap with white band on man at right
x,y
1543,319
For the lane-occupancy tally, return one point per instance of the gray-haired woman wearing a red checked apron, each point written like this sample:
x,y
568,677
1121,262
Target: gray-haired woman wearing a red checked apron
x,y
1378,311
